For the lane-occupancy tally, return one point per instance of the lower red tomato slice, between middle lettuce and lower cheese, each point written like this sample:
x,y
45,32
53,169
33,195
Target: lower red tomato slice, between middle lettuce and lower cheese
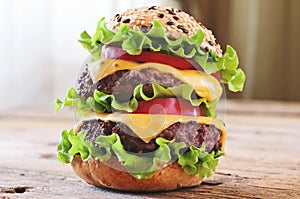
x,y
172,106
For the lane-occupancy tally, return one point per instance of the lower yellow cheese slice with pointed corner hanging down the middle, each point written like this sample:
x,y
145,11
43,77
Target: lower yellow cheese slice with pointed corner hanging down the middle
x,y
147,126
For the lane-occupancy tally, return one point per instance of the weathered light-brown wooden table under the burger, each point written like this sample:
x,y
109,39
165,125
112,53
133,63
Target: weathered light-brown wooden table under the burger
x,y
263,156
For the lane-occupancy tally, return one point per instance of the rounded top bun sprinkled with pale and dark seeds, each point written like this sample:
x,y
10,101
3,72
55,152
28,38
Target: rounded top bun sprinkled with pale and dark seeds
x,y
176,23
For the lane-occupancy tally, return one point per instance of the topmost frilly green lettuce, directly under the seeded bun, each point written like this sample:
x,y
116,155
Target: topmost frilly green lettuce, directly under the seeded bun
x,y
156,40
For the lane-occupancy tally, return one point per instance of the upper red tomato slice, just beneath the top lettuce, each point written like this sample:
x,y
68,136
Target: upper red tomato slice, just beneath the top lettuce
x,y
111,52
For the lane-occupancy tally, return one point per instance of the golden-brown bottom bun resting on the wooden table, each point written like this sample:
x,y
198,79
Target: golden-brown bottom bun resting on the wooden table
x,y
96,173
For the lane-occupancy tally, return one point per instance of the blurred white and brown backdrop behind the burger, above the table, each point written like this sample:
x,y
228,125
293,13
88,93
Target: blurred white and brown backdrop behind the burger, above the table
x,y
40,56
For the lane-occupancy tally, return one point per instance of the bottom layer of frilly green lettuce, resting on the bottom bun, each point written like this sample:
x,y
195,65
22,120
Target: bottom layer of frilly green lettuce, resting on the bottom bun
x,y
194,160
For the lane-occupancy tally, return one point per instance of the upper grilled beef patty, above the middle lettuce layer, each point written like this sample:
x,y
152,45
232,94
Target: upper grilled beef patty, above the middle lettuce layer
x,y
122,83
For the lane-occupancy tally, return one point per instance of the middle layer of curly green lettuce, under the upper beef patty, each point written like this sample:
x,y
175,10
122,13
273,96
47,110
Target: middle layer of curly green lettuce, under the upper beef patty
x,y
102,102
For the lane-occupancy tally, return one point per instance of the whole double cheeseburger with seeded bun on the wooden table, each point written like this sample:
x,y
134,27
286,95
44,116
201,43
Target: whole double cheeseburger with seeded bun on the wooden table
x,y
146,102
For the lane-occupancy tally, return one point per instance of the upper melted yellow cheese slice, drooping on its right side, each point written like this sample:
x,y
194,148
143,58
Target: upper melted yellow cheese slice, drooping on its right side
x,y
205,85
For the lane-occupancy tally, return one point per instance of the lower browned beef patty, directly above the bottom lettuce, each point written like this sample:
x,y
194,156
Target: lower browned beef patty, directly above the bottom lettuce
x,y
191,133
